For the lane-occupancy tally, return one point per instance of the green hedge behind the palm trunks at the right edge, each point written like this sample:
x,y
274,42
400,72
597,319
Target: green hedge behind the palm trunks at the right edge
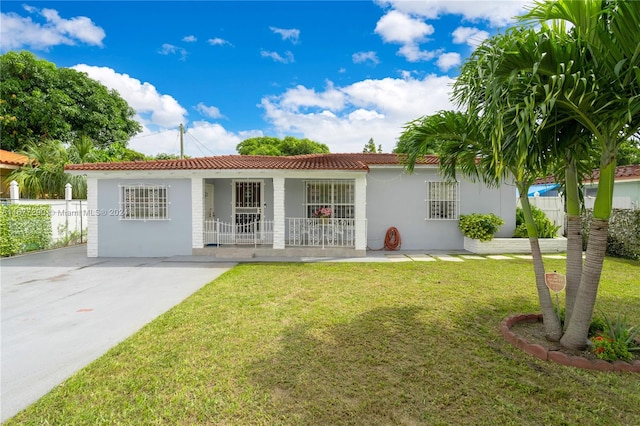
x,y
624,233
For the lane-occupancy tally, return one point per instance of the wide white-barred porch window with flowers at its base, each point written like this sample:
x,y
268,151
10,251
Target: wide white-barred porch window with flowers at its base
x,y
336,195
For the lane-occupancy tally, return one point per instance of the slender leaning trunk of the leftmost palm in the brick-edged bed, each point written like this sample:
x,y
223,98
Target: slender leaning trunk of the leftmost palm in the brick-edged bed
x,y
552,326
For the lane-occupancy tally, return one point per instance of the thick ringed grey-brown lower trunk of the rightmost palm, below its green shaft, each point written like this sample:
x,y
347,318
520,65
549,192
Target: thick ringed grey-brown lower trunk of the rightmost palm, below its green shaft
x,y
578,329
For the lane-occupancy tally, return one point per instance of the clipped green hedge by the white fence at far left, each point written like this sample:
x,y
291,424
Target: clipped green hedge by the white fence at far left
x,y
24,228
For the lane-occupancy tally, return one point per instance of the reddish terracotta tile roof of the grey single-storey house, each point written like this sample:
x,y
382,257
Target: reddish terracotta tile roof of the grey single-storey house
x,y
359,161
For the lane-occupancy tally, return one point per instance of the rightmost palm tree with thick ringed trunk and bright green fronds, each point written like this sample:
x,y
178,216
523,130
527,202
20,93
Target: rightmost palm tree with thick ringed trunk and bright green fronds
x,y
601,92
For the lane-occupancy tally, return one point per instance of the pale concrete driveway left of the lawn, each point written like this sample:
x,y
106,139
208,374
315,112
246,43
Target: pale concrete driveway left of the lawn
x,y
62,310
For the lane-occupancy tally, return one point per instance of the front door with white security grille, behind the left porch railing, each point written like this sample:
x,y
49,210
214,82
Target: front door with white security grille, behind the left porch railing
x,y
247,210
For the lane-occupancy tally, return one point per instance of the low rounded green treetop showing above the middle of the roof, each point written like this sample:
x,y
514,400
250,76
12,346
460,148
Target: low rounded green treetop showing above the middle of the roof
x,y
267,145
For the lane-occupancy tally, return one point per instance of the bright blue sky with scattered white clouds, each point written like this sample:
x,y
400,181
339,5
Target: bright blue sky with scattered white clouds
x,y
337,72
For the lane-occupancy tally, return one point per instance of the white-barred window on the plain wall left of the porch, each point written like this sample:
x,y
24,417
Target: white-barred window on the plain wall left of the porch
x,y
144,202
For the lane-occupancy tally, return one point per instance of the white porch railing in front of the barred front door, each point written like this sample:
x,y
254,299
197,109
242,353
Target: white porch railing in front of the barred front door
x,y
218,233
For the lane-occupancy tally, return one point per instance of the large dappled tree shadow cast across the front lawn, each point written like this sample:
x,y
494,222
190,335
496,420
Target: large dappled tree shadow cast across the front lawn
x,y
403,365
